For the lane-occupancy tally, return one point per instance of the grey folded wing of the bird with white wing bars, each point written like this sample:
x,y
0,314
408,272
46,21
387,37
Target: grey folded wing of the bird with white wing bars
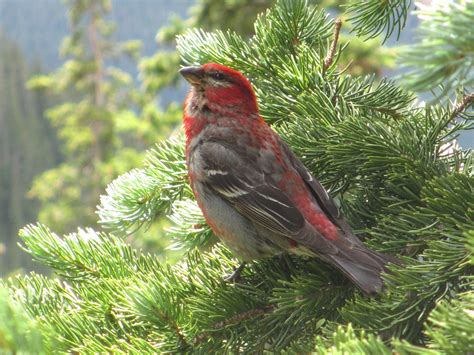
x,y
237,178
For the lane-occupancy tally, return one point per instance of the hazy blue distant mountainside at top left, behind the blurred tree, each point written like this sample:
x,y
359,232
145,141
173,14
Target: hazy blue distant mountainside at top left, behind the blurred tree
x,y
38,26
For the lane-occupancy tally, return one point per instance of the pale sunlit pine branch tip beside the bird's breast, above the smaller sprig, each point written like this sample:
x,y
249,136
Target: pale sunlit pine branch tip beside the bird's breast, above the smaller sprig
x,y
136,198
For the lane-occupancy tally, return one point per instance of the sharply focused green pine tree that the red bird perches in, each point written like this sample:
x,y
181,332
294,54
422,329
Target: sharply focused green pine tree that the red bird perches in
x,y
403,184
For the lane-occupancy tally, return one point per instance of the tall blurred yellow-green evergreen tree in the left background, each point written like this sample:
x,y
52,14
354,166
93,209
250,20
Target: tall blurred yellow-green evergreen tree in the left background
x,y
94,126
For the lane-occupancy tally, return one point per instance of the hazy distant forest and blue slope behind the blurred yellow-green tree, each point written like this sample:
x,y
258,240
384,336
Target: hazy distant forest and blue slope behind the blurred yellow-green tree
x,y
30,37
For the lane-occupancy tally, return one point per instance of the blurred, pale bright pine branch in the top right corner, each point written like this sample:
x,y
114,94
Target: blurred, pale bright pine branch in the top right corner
x,y
443,56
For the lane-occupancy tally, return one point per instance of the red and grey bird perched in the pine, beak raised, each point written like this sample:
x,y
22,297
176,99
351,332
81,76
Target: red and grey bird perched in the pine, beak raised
x,y
255,194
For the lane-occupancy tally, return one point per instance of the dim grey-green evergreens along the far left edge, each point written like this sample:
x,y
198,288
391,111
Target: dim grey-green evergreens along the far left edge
x,y
21,156
